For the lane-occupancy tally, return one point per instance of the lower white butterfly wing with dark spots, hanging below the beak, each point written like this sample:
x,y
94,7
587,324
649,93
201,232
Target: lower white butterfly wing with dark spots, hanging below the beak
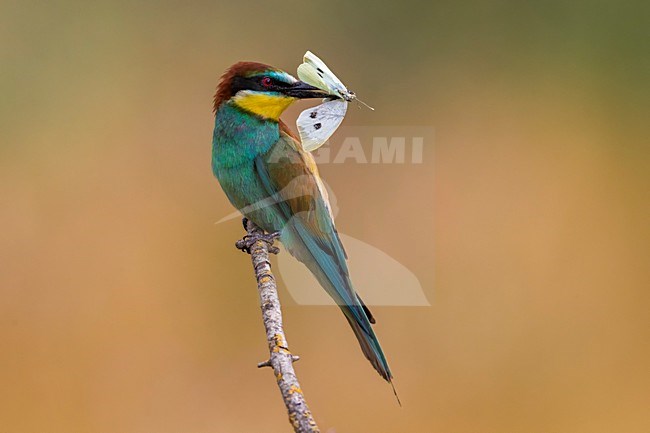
x,y
317,124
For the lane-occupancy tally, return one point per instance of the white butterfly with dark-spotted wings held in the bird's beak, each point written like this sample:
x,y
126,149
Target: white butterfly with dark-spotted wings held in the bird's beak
x,y
316,125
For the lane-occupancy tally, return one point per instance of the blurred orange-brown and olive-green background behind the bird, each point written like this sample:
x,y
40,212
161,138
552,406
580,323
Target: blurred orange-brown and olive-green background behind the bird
x,y
124,308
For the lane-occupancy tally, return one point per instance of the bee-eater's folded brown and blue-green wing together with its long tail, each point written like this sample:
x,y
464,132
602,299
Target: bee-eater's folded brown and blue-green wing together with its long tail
x,y
309,234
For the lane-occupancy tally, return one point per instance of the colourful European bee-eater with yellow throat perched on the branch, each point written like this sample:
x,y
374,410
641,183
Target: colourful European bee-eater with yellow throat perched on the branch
x,y
267,175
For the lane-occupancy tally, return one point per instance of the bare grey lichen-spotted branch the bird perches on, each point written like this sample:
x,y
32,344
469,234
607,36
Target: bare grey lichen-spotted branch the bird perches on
x,y
281,360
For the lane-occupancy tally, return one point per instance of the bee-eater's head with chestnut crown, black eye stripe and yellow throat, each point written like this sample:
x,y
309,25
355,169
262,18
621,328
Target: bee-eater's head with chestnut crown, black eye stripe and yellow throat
x,y
261,89
